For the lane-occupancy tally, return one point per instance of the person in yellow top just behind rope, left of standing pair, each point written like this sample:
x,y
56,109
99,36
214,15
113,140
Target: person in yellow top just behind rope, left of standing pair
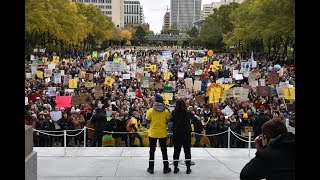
x,y
133,126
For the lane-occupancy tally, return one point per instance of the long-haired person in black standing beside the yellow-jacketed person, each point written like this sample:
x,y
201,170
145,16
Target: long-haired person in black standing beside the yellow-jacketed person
x,y
181,134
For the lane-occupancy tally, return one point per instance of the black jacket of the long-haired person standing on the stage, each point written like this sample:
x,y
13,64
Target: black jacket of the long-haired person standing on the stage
x,y
181,128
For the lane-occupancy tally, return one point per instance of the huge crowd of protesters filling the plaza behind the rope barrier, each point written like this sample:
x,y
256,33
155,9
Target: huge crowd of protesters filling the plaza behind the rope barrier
x,y
117,107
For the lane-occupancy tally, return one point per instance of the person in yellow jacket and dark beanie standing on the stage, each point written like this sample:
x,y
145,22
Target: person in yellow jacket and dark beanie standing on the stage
x,y
158,116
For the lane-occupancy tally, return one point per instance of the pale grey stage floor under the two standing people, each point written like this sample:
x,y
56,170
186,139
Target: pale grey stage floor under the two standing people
x,y
131,163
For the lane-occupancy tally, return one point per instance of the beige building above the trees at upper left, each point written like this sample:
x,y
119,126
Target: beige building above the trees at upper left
x,y
111,8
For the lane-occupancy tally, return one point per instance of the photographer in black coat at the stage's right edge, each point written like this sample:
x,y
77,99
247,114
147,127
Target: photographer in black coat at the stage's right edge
x,y
275,156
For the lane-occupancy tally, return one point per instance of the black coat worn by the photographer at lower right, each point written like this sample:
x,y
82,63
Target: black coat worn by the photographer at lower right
x,y
276,161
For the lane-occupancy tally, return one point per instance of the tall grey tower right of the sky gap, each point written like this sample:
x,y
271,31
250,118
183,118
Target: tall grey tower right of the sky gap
x,y
183,13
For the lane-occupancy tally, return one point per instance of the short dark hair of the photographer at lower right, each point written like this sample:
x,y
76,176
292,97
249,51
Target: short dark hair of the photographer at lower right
x,y
273,128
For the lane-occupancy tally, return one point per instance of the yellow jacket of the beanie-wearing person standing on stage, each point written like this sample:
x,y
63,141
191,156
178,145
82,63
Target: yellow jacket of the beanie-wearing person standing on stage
x,y
158,123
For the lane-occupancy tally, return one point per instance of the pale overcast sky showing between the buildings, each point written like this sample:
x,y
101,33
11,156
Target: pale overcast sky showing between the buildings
x,y
154,11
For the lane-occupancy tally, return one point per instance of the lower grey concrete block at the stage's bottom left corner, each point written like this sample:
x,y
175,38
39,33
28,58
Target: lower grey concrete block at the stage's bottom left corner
x,y
31,166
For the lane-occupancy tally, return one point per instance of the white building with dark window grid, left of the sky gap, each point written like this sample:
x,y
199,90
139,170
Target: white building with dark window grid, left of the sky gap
x,y
132,12
